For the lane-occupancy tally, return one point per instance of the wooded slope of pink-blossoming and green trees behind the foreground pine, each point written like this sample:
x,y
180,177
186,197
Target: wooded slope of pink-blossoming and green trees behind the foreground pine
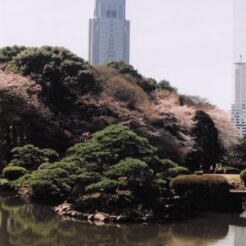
x,y
52,98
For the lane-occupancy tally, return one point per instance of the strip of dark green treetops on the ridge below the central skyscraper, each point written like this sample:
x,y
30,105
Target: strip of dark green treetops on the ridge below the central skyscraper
x,y
148,84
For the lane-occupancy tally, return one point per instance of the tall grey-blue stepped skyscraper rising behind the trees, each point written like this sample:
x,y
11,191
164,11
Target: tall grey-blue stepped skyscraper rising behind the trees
x,y
109,33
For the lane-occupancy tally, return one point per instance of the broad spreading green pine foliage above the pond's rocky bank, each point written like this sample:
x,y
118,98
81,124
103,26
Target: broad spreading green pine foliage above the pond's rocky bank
x,y
113,158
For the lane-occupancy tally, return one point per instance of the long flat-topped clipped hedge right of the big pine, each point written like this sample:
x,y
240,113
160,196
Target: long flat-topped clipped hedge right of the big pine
x,y
208,185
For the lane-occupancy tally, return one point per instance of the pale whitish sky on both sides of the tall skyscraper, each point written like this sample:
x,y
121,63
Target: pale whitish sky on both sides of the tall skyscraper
x,y
188,42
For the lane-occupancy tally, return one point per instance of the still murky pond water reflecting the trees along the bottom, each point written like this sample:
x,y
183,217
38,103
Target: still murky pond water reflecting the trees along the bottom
x,y
34,225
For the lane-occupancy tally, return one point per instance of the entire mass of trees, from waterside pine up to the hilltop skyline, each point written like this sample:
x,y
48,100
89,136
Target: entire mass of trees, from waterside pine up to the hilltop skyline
x,y
105,138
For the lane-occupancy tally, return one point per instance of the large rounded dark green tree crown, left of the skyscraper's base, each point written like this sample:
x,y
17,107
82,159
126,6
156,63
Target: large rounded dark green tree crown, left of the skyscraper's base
x,y
62,75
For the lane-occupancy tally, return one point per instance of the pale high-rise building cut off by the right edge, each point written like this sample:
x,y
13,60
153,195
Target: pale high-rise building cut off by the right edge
x,y
239,106
